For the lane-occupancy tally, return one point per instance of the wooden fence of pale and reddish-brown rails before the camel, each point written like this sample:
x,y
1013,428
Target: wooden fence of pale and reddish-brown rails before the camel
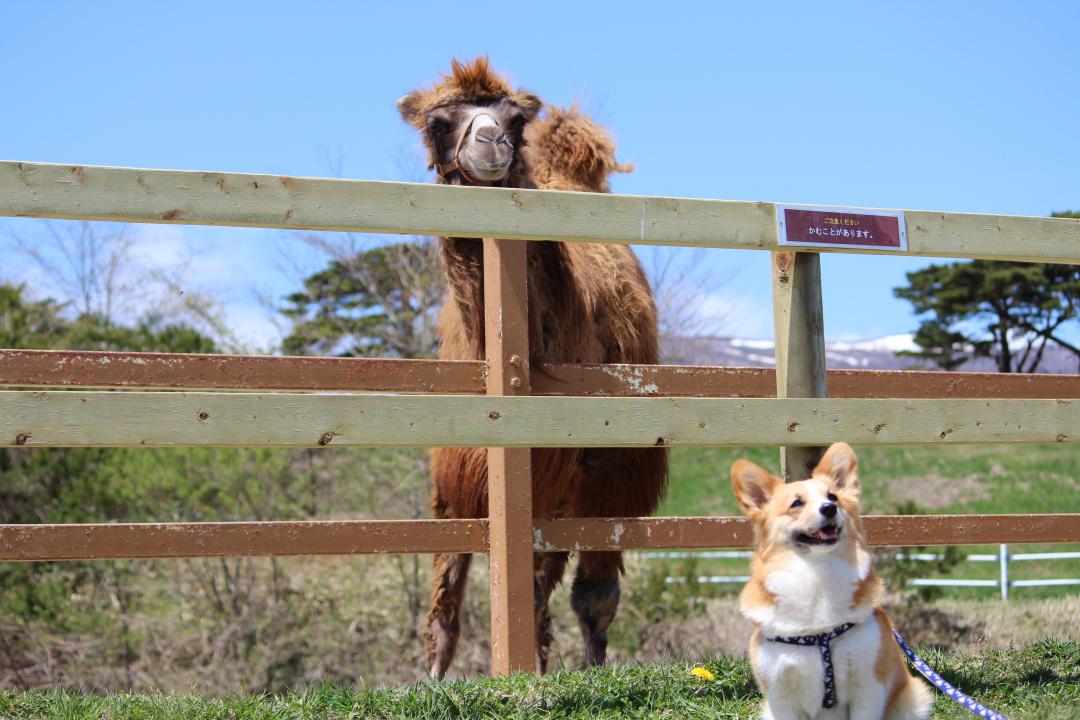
x,y
498,403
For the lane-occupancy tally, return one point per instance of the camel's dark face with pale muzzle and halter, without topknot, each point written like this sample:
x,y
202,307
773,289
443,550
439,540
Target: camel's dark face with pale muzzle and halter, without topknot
x,y
475,144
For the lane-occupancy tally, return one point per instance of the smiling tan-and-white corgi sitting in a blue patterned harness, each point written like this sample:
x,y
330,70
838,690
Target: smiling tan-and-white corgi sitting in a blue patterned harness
x,y
821,648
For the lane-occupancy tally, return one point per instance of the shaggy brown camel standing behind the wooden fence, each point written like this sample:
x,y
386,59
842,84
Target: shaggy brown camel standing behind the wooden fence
x,y
588,304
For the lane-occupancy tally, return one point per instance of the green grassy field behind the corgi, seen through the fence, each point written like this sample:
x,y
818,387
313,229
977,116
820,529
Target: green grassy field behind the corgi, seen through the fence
x,y
947,480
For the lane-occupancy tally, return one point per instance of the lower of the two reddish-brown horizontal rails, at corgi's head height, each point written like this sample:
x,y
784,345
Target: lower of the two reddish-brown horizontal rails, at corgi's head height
x,y
177,540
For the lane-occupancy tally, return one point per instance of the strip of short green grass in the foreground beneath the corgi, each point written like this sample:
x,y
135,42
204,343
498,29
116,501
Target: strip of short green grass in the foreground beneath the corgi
x,y
1039,682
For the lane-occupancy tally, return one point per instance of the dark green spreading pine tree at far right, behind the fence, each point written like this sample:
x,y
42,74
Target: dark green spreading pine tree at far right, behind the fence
x,y
1007,311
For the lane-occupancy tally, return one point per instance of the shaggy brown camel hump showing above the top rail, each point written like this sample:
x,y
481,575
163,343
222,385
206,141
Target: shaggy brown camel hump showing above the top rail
x,y
569,152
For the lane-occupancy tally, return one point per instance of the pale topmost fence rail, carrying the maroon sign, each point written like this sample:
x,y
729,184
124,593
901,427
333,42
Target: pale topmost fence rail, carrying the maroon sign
x,y
268,201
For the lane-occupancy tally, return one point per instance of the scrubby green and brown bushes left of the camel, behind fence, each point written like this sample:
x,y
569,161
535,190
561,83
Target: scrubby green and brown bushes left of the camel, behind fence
x,y
227,621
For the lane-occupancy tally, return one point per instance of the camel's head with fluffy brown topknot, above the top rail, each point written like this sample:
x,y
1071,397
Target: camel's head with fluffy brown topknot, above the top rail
x,y
472,124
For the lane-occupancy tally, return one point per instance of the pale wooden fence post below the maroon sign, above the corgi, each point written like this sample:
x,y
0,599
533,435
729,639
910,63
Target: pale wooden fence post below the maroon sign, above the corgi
x,y
800,324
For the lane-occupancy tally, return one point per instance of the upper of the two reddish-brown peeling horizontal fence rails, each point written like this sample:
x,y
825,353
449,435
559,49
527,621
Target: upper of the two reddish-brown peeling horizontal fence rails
x,y
50,369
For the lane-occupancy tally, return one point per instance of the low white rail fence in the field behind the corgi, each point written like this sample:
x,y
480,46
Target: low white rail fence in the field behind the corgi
x,y
1004,559
